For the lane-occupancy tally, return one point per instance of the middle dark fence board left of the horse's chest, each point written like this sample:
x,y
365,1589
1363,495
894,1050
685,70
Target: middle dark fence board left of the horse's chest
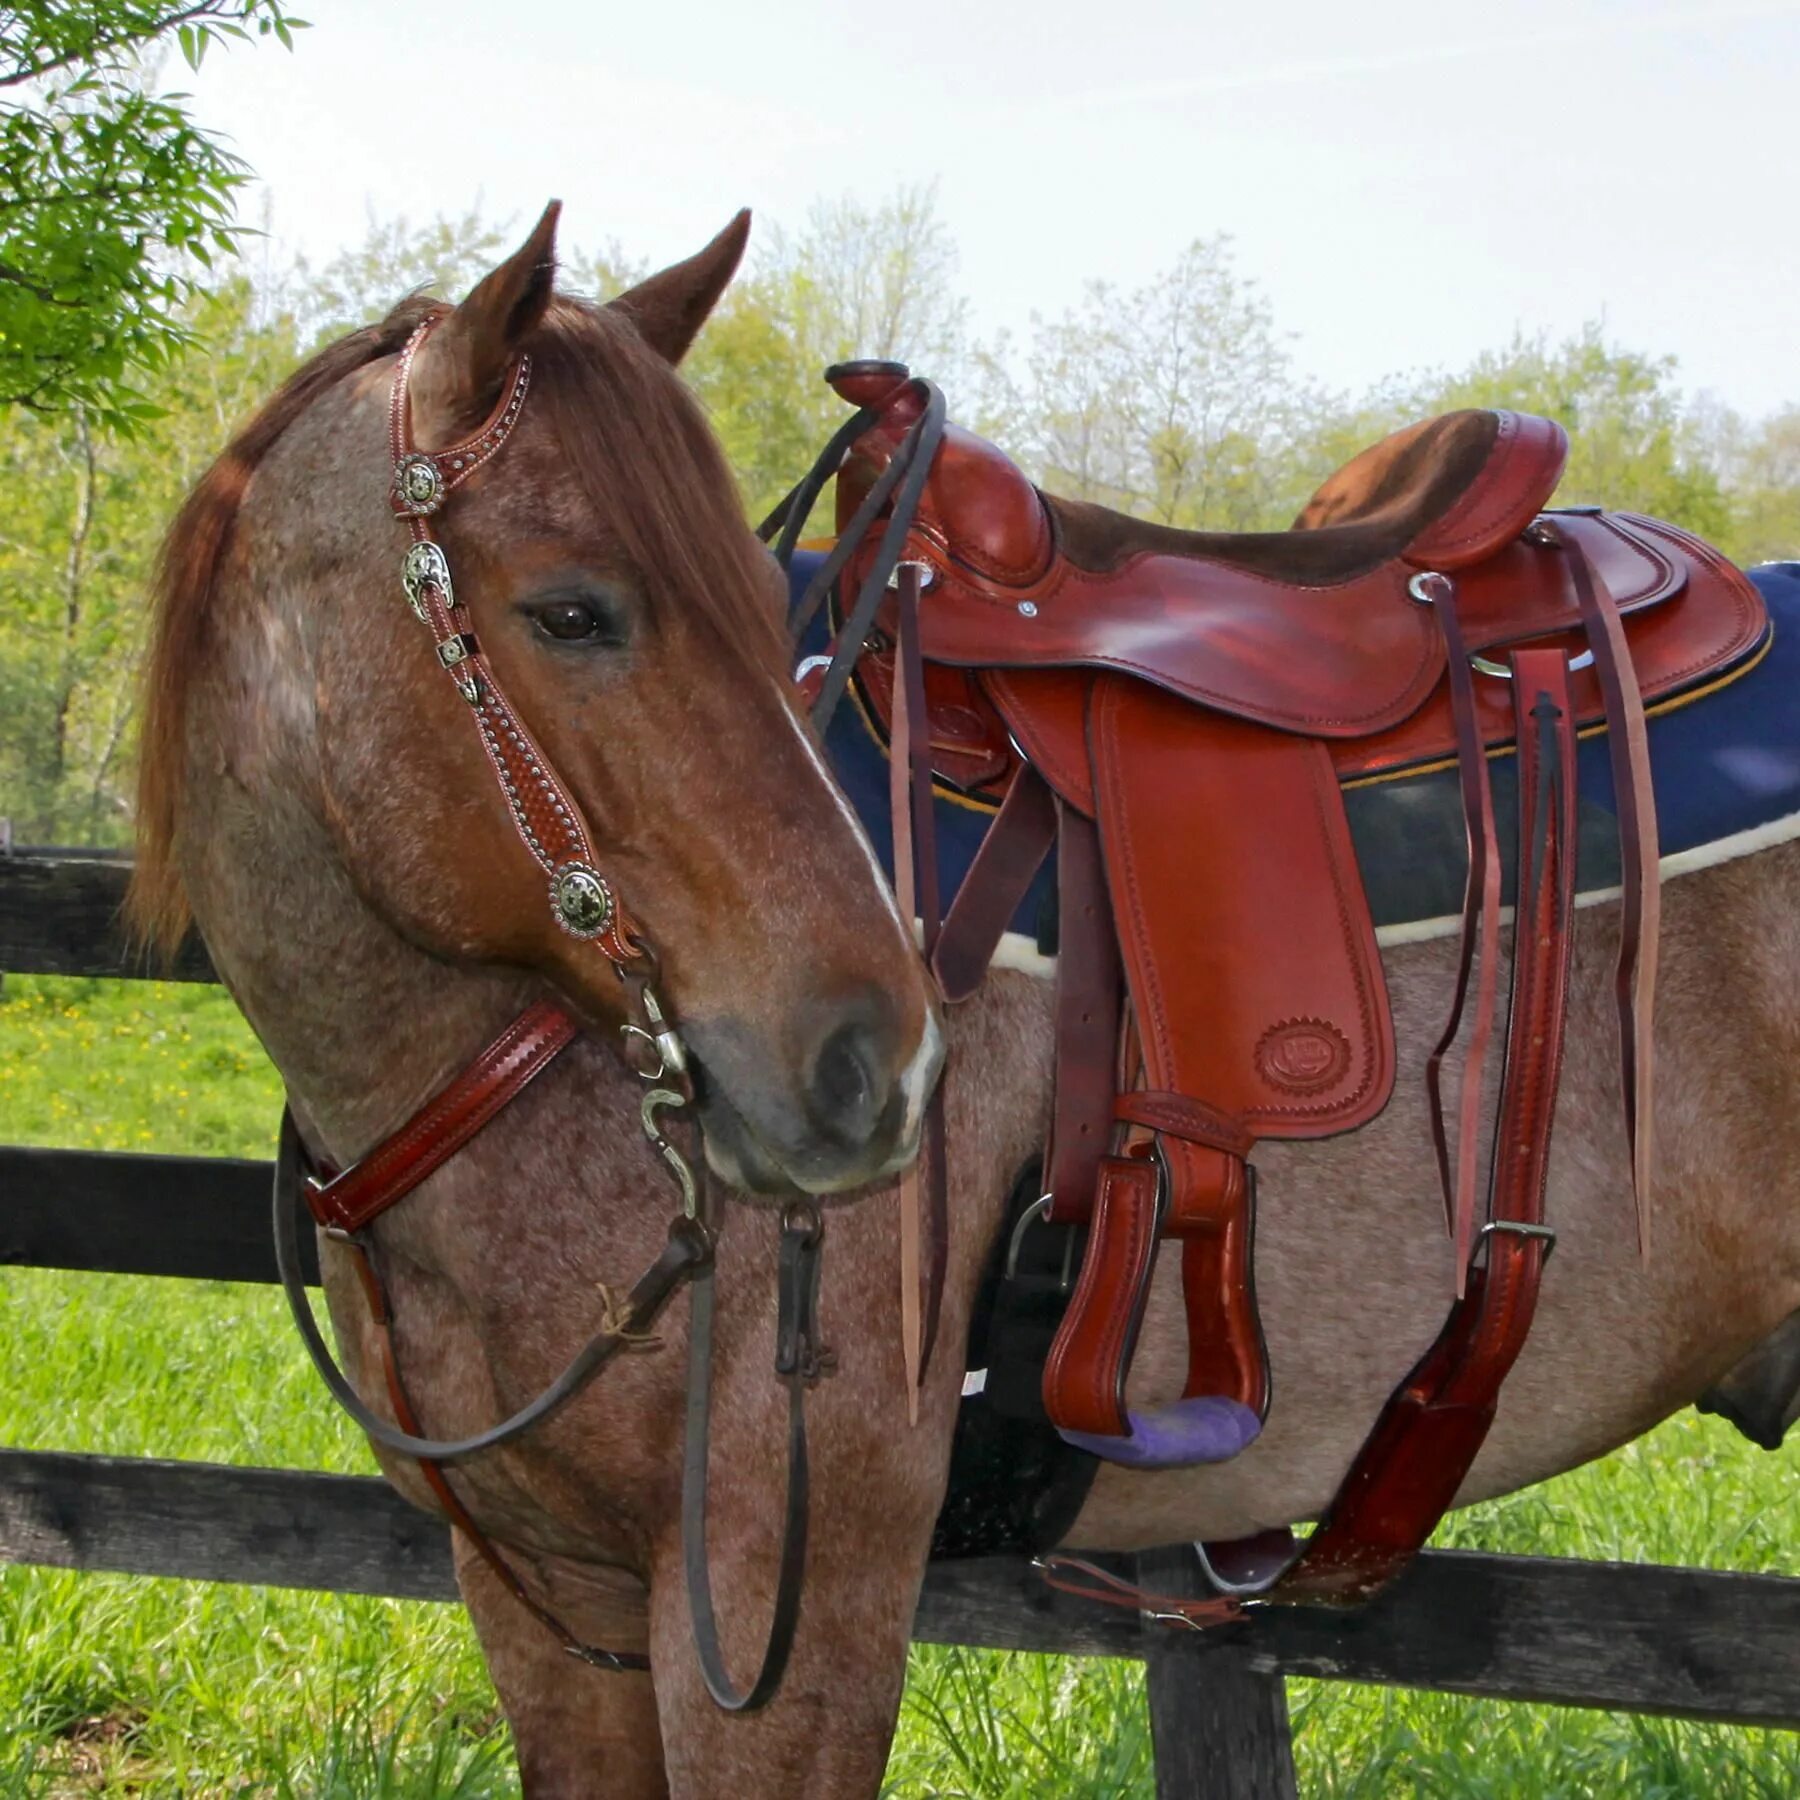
x,y
120,1214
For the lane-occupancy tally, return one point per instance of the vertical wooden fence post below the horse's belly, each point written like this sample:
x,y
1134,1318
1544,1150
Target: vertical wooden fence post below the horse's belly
x,y
1219,1727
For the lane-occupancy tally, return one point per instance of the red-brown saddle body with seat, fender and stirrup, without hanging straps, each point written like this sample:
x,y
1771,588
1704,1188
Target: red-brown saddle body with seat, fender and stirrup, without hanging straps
x,y
1192,705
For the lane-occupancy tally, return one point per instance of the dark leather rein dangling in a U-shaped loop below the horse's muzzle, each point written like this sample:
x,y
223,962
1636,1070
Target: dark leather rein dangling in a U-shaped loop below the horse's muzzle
x,y
800,1362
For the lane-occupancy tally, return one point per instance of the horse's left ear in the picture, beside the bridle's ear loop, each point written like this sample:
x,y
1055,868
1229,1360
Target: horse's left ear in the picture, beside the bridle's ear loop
x,y
462,366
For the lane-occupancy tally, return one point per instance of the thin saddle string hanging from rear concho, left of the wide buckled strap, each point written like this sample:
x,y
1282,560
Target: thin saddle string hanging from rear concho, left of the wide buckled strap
x,y
1480,937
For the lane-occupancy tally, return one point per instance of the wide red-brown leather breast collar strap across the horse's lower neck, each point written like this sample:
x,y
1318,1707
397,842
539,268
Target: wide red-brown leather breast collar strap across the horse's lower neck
x,y
449,1120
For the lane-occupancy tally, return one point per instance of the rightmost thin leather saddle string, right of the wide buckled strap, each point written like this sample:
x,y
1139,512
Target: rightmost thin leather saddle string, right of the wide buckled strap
x,y
1641,901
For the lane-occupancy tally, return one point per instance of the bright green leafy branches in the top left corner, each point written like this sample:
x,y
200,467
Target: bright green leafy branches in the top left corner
x,y
112,201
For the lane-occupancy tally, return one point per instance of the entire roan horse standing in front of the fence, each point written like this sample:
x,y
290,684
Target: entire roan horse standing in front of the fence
x,y
314,798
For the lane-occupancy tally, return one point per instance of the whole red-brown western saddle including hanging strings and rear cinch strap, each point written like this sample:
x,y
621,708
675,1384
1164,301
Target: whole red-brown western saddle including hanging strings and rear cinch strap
x,y
1173,715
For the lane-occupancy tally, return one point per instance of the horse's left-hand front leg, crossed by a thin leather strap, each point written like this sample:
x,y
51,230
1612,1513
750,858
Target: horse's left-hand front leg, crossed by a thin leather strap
x,y
582,1732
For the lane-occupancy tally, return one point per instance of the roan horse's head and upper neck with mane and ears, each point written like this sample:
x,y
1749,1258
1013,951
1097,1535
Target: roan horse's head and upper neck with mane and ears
x,y
305,755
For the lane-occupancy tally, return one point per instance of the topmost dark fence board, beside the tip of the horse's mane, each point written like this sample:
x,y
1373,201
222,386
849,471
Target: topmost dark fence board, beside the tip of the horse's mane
x,y
60,917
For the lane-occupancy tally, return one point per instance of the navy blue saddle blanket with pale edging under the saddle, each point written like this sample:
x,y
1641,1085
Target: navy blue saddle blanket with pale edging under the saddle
x,y
1727,782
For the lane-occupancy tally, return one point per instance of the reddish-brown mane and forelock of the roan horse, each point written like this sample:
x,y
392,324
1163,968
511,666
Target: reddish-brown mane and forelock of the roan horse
x,y
638,444
